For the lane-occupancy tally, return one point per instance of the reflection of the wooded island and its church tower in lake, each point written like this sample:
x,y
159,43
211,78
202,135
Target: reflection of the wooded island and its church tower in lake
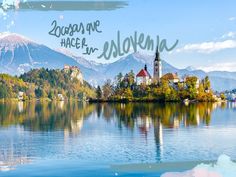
x,y
159,116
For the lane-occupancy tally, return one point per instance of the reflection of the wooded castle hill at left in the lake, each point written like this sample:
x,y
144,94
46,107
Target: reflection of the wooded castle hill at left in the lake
x,y
45,117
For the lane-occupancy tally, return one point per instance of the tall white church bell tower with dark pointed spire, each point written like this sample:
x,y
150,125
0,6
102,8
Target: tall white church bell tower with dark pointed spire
x,y
157,70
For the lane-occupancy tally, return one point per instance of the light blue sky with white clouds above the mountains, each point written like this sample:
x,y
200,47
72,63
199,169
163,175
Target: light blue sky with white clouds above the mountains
x,y
206,30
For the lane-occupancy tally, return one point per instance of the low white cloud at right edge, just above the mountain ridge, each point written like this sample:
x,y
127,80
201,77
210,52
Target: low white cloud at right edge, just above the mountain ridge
x,y
229,66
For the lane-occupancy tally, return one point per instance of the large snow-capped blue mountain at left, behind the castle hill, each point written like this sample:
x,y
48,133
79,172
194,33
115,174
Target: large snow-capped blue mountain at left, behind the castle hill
x,y
20,54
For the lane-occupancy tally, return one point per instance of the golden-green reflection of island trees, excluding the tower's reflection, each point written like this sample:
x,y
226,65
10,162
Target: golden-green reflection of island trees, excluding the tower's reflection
x,y
170,115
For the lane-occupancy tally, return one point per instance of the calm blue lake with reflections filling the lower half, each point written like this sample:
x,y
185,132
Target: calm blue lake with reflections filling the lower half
x,y
133,139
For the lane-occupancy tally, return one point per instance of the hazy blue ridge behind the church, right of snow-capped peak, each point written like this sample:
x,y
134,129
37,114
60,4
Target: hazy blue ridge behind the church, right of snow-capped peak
x,y
220,81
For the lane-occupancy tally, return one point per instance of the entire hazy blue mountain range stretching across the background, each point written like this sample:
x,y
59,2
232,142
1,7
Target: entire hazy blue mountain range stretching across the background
x,y
19,54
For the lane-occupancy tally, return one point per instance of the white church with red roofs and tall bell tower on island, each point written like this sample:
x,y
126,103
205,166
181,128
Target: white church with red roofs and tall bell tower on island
x,y
144,78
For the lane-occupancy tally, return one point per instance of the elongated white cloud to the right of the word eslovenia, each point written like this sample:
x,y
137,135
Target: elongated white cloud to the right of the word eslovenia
x,y
208,47
